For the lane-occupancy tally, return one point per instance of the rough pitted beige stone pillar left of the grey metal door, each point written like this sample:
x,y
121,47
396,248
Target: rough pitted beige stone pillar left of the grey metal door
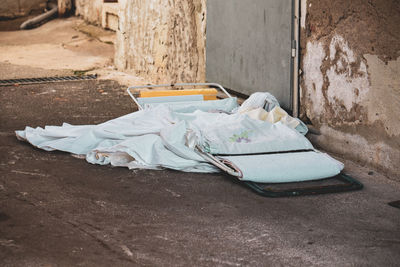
x,y
162,41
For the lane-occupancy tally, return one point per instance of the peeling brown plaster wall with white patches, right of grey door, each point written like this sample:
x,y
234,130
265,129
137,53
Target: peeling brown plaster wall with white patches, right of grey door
x,y
350,87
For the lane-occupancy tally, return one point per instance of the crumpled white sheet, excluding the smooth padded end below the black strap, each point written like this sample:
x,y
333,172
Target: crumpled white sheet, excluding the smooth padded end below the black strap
x,y
165,137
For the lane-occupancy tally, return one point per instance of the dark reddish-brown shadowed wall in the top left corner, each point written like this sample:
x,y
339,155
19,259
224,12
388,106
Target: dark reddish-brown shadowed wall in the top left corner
x,y
19,8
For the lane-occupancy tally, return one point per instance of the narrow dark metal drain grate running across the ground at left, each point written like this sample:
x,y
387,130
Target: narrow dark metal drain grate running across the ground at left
x,y
47,80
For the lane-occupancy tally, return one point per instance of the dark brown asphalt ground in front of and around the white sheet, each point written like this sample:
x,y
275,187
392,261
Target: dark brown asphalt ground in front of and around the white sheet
x,y
57,210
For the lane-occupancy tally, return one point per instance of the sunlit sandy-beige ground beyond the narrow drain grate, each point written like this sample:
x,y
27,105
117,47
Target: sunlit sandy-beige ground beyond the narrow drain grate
x,y
58,47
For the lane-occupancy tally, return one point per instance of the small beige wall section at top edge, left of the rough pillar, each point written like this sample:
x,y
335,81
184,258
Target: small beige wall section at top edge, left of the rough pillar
x,y
90,10
